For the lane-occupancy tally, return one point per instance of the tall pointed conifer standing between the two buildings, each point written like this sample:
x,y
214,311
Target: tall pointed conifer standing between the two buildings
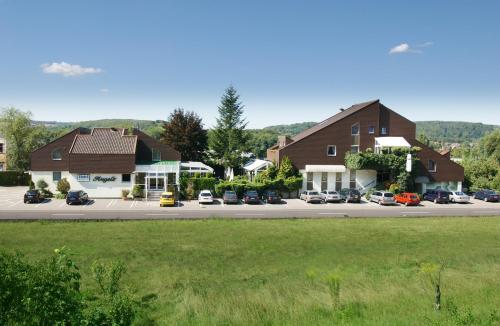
x,y
228,140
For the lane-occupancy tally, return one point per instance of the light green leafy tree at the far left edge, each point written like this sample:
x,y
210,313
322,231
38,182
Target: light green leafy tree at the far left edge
x,y
22,137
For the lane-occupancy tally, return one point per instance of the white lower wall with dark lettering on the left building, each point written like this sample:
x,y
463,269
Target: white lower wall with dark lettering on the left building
x,y
95,189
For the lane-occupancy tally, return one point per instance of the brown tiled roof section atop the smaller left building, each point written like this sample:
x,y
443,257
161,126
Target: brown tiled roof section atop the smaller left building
x,y
104,141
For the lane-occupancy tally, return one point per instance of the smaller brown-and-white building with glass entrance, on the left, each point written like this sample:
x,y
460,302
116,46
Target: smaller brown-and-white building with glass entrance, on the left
x,y
103,161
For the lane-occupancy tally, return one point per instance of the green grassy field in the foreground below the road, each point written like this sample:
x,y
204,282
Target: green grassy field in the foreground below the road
x,y
263,272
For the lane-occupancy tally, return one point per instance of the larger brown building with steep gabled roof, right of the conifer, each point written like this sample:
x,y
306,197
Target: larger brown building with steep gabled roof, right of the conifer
x,y
319,151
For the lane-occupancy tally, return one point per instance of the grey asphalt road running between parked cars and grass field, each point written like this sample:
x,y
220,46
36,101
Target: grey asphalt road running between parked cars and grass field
x,y
247,212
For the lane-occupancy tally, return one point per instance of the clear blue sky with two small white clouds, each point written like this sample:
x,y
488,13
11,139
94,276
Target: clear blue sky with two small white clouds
x,y
291,61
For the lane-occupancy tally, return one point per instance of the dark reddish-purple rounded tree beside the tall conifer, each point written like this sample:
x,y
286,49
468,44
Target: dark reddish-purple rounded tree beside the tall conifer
x,y
184,132
